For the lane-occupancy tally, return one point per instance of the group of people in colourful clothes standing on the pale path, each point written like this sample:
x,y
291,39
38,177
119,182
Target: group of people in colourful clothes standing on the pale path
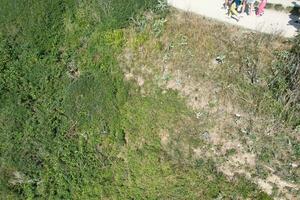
x,y
237,8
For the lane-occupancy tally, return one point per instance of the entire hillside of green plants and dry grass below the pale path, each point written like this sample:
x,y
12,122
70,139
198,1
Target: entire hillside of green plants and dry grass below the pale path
x,y
113,99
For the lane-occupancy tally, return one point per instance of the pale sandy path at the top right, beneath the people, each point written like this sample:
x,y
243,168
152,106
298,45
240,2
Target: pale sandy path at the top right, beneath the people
x,y
272,22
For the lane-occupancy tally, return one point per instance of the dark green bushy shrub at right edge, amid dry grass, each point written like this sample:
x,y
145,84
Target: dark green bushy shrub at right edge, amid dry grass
x,y
285,82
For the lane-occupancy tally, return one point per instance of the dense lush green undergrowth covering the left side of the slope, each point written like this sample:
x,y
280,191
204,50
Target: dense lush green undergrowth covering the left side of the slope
x,y
71,128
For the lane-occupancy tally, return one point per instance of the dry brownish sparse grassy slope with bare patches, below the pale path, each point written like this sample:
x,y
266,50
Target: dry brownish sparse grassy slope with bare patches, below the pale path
x,y
241,85
